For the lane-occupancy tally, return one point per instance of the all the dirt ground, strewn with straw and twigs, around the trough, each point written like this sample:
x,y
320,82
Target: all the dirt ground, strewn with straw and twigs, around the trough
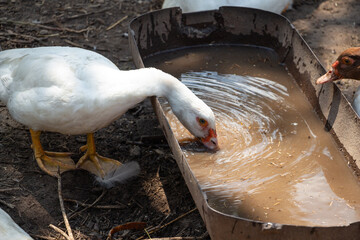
x,y
159,194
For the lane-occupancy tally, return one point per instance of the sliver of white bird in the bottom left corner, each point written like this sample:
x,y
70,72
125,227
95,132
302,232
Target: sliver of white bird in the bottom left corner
x,y
10,230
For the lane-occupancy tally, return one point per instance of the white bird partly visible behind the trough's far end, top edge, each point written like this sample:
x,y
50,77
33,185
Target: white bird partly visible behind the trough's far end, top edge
x,y
276,6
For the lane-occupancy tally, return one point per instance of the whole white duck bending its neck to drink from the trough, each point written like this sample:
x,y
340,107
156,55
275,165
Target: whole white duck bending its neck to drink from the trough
x,y
76,91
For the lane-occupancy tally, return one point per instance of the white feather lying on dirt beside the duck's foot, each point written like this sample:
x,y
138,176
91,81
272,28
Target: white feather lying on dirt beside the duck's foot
x,y
119,175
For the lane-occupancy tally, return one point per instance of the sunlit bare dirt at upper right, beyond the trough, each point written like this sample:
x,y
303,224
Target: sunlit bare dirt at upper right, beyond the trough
x,y
329,27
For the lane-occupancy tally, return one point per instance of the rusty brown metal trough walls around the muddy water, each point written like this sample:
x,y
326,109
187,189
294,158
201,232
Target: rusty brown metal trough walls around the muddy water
x,y
170,29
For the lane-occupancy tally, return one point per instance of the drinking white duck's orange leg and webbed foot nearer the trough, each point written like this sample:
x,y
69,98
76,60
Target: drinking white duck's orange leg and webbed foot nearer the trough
x,y
97,164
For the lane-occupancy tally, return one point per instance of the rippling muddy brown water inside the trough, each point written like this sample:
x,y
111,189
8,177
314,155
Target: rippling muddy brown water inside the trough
x,y
276,162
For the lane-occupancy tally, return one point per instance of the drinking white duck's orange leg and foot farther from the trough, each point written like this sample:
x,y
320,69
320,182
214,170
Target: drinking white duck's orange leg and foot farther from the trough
x,y
49,162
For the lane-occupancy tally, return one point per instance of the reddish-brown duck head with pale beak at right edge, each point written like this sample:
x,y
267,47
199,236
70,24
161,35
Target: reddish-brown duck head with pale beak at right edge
x,y
347,65
